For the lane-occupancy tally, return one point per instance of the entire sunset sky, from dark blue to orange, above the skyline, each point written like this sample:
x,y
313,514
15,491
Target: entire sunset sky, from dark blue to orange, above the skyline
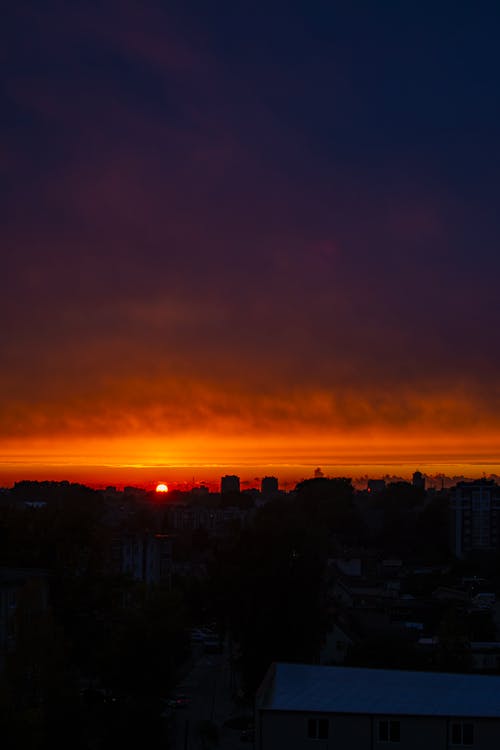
x,y
248,237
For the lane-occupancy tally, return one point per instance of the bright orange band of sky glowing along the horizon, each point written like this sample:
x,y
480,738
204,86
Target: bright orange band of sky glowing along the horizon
x,y
291,457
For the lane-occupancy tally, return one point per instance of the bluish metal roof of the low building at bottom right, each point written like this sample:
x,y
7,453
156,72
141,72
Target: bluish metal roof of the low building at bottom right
x,y
312,688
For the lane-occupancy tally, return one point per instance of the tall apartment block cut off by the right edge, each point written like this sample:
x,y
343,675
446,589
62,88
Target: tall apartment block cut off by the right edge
x,y
475,517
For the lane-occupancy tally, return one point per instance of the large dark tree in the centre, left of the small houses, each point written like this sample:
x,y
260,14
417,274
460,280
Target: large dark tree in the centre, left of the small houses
x,y
269,586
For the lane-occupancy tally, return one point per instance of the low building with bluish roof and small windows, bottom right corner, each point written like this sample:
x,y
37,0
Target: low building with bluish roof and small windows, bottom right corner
x,y
302,706
